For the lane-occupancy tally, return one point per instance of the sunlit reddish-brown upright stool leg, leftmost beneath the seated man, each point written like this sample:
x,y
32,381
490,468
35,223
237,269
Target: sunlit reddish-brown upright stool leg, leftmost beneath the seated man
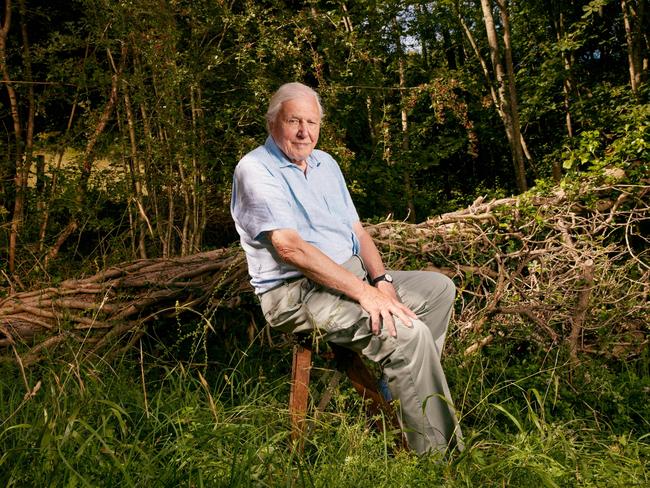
x,y
299,396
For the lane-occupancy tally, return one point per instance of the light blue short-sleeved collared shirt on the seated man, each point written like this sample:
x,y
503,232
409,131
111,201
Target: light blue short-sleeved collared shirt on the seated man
x,y
269,192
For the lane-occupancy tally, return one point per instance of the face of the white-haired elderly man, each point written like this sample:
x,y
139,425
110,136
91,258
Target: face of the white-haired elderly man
x,y
296,128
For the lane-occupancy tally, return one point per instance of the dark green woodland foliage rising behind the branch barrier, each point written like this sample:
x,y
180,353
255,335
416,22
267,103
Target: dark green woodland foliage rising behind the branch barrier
x,y
195,77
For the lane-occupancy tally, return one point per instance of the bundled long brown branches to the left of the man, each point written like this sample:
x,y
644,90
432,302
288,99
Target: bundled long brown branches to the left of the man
x,y
113,306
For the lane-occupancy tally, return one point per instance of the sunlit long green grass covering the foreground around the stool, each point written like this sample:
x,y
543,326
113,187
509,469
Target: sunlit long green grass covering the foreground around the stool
x,y
169,423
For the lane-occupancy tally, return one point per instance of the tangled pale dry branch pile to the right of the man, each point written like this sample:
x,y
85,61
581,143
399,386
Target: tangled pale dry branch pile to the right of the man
x,y
546,269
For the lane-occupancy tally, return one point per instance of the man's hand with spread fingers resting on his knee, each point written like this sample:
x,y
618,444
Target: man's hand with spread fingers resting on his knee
x,y
382,305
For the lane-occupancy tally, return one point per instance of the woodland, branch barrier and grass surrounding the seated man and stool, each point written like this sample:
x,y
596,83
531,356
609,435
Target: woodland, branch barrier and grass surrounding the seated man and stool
x,y
505,143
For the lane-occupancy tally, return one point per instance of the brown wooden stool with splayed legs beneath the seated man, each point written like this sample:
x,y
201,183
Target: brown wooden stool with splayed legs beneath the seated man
x,y
362,380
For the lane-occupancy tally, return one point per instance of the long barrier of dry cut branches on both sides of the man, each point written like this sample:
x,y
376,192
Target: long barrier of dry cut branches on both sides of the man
x,y
544,269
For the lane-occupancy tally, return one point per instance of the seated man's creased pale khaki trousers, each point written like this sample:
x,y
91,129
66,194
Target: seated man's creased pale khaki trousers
x,y
410,361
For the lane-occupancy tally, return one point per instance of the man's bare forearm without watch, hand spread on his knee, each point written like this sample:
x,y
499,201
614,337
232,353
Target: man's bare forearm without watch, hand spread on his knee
x,y
318,267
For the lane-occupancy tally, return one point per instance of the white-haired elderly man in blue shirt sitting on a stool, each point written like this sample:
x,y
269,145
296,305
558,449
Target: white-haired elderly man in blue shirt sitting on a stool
x,y
316,269
